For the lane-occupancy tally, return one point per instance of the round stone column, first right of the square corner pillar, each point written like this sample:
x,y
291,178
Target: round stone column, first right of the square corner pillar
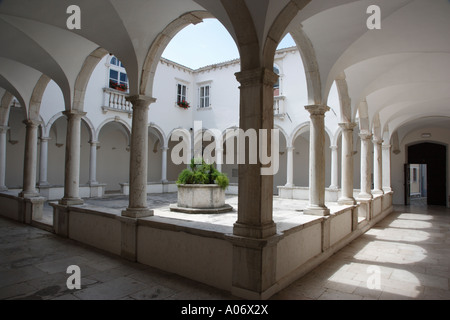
x,y
317,161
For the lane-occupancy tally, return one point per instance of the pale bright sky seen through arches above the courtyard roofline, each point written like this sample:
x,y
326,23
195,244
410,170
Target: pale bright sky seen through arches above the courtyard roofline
x,y
206,43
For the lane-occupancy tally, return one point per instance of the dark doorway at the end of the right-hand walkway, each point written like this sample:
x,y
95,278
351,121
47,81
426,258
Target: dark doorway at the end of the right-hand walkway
x,y
435,157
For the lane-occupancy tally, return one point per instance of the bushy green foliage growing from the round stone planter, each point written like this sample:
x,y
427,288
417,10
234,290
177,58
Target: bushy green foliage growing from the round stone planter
x,y
202,173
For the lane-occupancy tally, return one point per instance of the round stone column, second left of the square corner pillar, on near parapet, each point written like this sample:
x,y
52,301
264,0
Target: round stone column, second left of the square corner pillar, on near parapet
x,y
72,167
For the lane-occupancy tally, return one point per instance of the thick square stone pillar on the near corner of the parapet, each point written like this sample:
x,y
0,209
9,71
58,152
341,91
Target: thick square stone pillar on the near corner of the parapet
x,y
255,196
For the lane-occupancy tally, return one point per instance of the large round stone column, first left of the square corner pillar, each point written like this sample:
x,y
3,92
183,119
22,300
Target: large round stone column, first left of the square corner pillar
x,y
138,158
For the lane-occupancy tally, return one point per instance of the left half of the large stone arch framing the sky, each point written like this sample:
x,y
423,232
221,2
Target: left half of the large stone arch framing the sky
x,y
161,42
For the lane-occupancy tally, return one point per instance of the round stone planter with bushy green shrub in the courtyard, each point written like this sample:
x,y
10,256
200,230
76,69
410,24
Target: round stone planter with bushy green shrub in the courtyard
x,y
201,189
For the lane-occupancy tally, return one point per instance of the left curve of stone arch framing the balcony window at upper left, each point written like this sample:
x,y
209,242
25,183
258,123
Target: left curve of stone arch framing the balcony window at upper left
x,y
83,77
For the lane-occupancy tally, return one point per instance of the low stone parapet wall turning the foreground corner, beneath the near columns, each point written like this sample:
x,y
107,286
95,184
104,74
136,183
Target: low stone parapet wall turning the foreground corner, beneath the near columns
x,y
210,253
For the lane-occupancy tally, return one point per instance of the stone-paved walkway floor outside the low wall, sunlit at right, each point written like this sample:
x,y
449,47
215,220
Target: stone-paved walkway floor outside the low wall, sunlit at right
x,y
406,256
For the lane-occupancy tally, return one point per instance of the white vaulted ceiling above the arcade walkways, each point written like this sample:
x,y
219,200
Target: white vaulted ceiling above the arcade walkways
x,y
400,70
